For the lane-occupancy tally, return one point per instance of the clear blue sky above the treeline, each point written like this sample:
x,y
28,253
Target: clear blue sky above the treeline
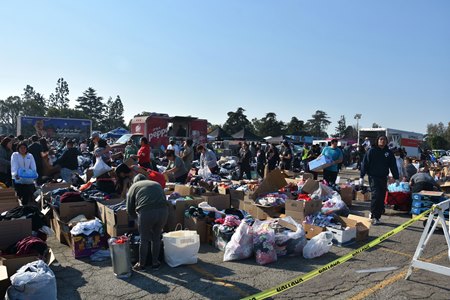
x,y
388,60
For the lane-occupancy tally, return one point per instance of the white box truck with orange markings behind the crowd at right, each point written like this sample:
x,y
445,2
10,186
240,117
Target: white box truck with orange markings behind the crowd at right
x,y
396,138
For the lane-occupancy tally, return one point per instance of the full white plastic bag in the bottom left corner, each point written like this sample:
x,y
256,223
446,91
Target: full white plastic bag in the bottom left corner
x,y
33,281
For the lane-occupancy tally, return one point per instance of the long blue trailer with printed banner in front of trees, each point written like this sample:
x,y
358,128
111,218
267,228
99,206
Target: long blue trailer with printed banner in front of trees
x,y
54,127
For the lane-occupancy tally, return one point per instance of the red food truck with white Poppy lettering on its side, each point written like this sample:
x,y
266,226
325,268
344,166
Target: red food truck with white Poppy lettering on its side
x,y
159,128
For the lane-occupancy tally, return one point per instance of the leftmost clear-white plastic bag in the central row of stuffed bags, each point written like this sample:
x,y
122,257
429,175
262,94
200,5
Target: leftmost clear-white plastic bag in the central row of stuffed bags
x,y
241,244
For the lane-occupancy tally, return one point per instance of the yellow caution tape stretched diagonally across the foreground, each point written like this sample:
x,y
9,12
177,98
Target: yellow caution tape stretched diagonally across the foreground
x,y
298,280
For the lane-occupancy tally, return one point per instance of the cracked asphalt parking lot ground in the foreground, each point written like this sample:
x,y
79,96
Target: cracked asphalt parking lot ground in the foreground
x,y
211,278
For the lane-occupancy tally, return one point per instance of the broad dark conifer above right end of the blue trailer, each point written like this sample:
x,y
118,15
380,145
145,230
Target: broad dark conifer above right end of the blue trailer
x,y
91,105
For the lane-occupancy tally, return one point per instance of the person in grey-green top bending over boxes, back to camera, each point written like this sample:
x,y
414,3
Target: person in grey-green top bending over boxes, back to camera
x,y
146,201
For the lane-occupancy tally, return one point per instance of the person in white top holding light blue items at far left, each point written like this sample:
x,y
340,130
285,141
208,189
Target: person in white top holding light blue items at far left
x,y
23,163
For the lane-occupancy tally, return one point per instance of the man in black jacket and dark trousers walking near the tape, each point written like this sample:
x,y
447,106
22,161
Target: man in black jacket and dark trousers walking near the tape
x,y
376,164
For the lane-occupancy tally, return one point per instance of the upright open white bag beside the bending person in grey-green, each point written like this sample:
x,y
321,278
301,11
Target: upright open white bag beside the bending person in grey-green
x,y
181,247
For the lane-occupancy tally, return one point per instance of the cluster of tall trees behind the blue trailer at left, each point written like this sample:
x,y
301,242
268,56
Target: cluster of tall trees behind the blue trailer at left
x,y
104,115
